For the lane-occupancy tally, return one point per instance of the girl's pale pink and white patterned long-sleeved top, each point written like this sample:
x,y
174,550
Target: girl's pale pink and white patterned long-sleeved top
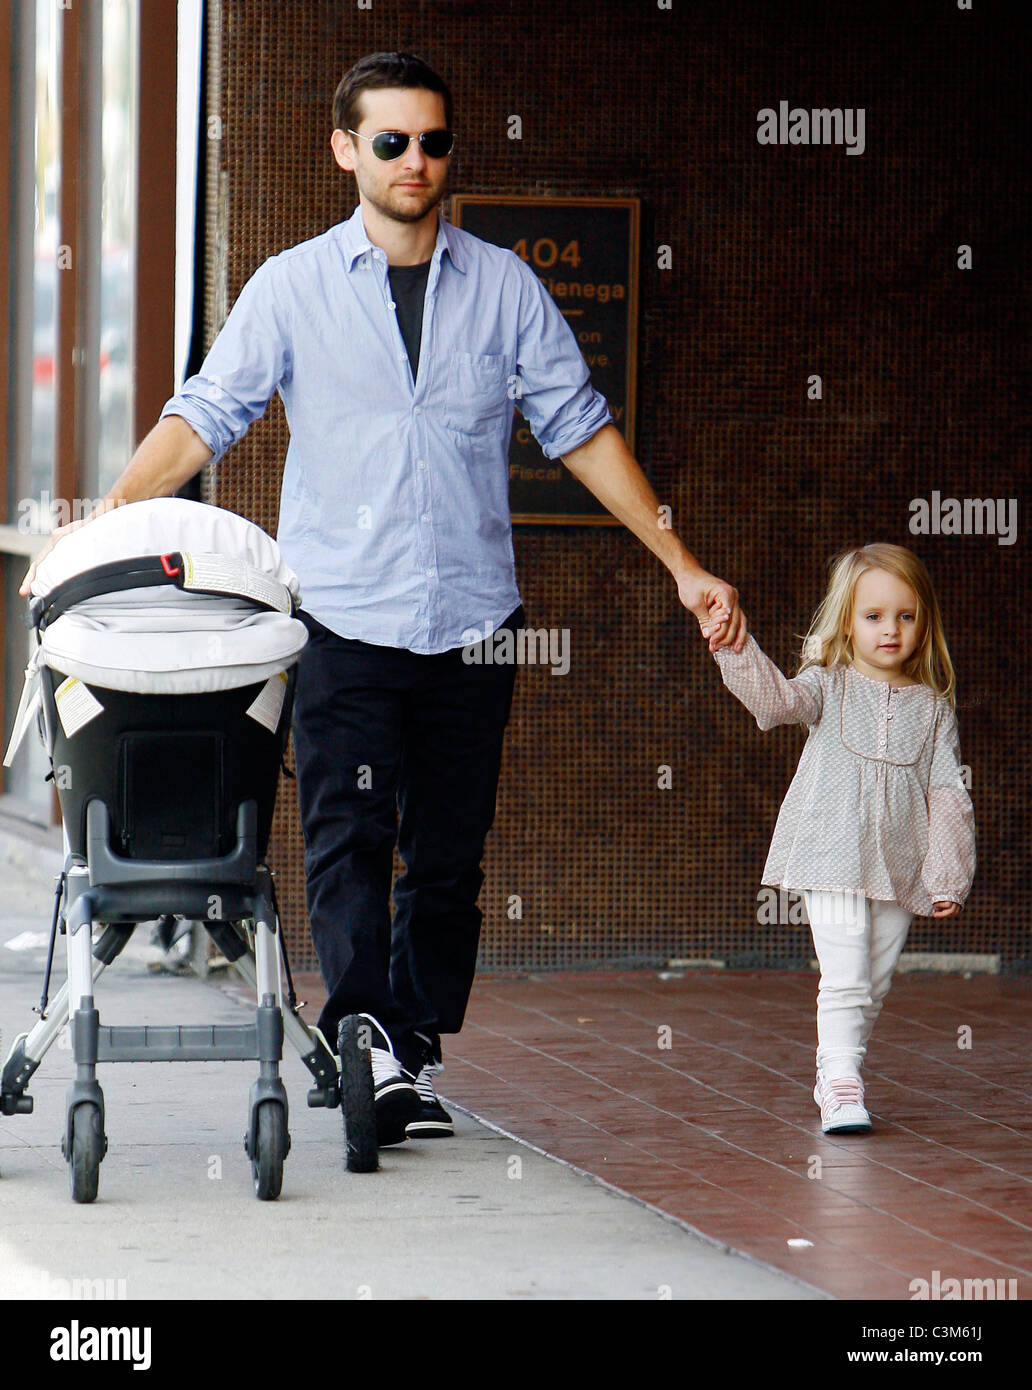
x,y
878,804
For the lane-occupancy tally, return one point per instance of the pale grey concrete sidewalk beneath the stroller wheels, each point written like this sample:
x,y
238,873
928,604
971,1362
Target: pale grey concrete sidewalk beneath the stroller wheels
x,y
476,1217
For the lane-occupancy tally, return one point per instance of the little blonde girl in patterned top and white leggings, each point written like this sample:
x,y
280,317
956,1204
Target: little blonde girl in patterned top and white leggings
x,y
877,825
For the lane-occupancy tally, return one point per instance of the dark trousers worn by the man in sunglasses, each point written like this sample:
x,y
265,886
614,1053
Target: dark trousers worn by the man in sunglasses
x,y
393,747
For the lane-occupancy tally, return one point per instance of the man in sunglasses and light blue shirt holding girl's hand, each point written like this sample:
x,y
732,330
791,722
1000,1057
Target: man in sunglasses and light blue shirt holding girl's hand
x,y
396,341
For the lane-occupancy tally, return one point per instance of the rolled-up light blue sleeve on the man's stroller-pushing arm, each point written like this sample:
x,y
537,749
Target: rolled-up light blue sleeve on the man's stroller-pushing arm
x,y
247,363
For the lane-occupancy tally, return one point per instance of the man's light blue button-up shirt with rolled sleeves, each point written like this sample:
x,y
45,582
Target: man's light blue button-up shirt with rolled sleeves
x,y
394,511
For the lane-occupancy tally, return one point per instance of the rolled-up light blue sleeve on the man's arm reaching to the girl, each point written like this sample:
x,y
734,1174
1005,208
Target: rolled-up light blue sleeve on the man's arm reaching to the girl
x,y
557,398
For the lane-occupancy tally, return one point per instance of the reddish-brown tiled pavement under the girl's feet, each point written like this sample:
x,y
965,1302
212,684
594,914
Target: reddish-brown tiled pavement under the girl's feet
x,y
695,1095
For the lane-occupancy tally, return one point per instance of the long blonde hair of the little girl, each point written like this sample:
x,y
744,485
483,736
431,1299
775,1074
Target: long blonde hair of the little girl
x,y
828,643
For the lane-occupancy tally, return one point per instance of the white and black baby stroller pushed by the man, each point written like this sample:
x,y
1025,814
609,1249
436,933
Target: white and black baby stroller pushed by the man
x,y
162,683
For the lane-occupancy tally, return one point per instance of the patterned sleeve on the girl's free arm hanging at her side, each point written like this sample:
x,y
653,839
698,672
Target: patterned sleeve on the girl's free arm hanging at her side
x,y
949,867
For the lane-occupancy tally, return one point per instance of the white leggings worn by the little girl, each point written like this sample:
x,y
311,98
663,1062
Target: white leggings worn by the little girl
x,y
859,943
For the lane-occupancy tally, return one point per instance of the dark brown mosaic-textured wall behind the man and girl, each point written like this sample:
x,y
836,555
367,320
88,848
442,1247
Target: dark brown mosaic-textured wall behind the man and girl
x,y
788,262
